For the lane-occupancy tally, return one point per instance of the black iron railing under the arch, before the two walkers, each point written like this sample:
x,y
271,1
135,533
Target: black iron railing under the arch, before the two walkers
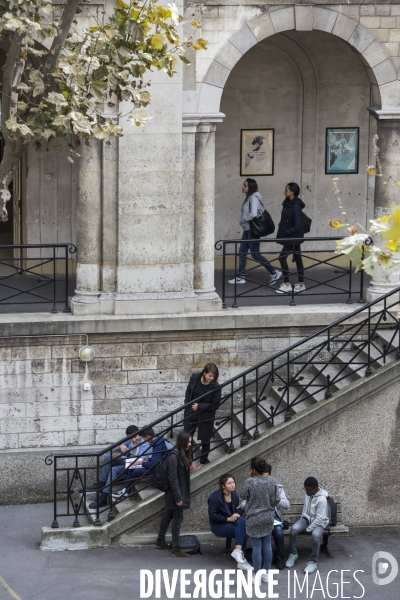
x,y
327,274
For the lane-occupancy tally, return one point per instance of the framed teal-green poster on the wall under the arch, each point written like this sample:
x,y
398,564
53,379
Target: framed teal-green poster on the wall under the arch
x,y
341,150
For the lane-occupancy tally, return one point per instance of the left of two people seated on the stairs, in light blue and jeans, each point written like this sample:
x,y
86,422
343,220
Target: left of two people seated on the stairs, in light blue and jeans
x,y
135,447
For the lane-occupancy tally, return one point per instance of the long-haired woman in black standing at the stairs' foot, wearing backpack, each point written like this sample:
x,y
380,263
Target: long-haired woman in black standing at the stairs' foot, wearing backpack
x,y
177,496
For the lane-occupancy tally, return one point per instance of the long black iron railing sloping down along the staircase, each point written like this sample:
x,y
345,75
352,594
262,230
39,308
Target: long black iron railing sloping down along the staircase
x,y
260,397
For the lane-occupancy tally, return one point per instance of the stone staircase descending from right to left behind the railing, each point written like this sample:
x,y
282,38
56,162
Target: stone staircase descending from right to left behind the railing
x,y
347,377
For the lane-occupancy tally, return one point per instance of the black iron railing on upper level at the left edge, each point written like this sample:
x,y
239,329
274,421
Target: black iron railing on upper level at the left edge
x,y
35,274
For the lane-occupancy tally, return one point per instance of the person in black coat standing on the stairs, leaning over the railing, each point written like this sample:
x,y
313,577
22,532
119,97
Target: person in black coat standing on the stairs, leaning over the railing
x,y
201,415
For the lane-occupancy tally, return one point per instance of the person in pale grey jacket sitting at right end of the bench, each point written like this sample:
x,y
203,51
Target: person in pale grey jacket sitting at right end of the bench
x,y
314,519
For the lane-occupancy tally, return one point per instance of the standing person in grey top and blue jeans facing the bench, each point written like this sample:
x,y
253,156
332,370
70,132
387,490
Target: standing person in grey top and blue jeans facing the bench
x,y
261,493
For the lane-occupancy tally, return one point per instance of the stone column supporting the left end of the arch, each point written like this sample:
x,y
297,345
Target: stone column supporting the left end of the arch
x,y
204,197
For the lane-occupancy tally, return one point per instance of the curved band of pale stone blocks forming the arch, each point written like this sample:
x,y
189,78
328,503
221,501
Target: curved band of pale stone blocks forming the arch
x,y
372,53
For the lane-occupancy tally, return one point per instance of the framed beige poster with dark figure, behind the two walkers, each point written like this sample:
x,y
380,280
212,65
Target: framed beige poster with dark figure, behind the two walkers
x,y
256,152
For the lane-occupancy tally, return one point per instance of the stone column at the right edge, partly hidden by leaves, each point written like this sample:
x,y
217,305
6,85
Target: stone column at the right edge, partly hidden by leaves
x,y
387,193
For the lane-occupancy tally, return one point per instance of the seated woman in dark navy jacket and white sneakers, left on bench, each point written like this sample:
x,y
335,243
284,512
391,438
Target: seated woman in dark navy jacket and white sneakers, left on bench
x,y
226,518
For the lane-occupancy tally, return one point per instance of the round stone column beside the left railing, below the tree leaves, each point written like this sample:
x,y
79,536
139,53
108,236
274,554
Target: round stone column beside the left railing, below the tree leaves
x,y
89,230
